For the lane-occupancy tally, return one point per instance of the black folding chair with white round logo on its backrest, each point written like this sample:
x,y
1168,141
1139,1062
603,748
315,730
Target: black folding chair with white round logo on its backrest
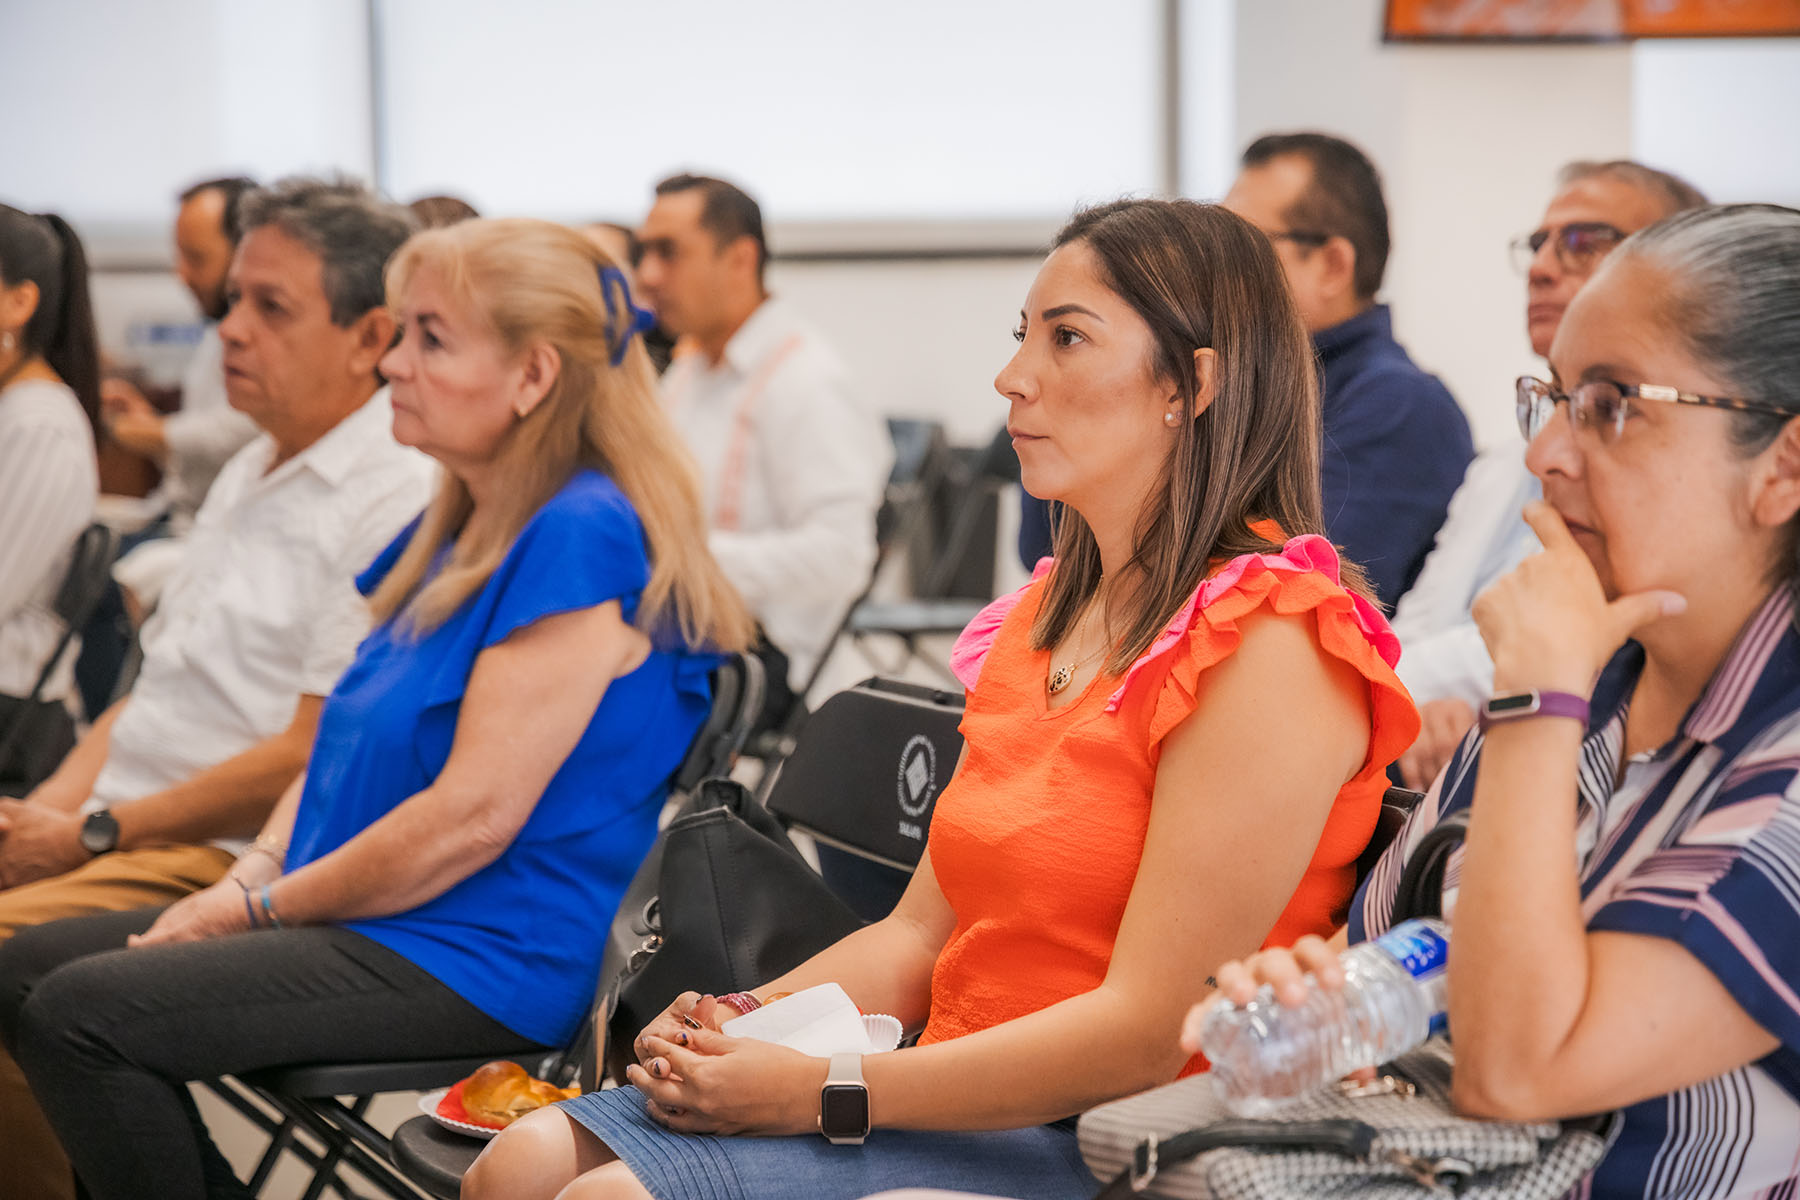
x,y
863,782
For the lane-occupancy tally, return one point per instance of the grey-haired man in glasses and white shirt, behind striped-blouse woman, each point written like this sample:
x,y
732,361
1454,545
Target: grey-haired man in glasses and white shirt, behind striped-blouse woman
x,y
1444,663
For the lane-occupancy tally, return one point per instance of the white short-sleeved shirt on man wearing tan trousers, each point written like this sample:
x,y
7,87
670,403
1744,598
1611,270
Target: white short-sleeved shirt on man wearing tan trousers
x,y
264,607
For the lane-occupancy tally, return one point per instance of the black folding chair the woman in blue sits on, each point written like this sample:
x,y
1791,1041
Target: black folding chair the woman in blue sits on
x,y
307,1097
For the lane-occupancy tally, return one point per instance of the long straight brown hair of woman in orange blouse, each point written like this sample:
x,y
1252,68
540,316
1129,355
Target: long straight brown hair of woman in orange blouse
x,y
1200,278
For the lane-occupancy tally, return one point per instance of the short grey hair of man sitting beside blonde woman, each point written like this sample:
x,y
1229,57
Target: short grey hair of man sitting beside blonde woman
x,y
350,228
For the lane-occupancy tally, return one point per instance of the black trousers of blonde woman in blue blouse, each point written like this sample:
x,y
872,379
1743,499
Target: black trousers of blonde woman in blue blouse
x,y
111,1037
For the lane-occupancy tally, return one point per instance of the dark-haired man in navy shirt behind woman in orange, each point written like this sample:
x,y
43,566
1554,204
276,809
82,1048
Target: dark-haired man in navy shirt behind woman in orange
x,y
1396,442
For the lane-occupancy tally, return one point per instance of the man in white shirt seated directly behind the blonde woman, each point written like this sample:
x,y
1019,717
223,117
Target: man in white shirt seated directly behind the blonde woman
x,y
791,458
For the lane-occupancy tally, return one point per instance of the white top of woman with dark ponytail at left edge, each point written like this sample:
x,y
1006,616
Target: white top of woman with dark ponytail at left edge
x,y
48,488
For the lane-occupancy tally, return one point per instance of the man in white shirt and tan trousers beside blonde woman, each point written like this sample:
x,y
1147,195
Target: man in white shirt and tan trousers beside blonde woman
x,y
260,620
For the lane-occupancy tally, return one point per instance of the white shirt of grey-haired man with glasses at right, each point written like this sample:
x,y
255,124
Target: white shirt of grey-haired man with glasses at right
x,y
1484,537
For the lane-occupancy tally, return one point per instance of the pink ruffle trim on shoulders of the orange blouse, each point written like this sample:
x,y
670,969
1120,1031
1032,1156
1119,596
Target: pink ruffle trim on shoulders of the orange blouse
x,y
1304,555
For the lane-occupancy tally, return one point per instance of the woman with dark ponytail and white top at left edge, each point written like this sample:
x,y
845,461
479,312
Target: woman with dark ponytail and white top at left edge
x,y
49,395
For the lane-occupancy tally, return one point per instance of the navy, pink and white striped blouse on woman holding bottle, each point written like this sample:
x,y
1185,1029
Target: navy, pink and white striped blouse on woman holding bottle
x,y
1700,843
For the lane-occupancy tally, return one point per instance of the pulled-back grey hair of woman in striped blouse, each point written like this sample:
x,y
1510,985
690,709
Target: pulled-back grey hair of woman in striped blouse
x,y
1734,296
